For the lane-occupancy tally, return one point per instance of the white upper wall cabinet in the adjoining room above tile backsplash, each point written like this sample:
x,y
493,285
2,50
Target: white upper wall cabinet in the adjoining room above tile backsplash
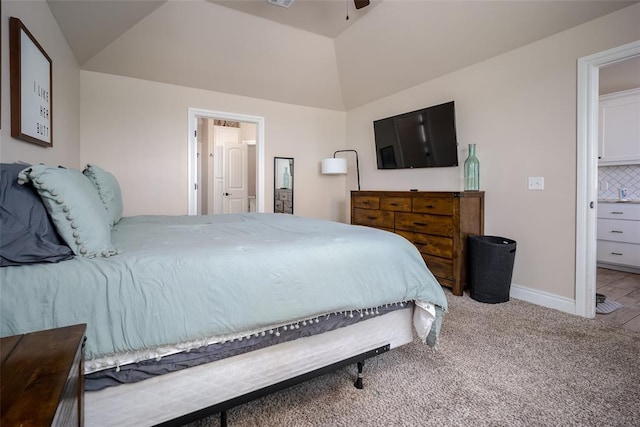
x,y
619,128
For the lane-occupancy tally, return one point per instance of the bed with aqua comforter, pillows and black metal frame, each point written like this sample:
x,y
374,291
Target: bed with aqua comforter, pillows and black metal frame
x,y
191,315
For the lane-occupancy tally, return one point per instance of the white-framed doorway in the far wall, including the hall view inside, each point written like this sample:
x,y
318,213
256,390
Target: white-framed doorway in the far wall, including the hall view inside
x,y
226,163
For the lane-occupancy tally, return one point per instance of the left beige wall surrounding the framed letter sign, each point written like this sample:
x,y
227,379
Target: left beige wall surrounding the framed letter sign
x,y
37,17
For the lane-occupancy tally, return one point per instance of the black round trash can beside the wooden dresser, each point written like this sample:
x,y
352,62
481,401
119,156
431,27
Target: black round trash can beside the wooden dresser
x,y
490,268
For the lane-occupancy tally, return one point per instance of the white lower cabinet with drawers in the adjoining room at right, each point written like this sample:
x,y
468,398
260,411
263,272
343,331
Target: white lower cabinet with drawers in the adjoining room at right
x,y
619,234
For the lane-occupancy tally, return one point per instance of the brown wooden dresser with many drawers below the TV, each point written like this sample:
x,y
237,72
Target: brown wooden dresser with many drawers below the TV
x,y
437,222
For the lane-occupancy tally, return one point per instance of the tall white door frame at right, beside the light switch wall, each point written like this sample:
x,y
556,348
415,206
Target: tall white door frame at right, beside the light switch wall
x,y
587,171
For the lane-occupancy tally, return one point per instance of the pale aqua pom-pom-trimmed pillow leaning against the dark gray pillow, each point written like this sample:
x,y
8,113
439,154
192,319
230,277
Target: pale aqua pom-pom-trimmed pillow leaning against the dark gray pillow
x,y
75,208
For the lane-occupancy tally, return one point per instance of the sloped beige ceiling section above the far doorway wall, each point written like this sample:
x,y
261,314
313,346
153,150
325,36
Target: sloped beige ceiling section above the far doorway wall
x,y
238,53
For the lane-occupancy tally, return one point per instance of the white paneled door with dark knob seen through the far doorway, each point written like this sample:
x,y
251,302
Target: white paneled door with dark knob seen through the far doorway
x,y
230,171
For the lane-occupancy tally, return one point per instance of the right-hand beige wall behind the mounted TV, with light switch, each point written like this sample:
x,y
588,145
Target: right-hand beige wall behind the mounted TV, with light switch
x,y
520,110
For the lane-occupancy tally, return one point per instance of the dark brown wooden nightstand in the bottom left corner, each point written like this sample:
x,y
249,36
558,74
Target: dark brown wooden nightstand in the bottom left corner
x,y
41,378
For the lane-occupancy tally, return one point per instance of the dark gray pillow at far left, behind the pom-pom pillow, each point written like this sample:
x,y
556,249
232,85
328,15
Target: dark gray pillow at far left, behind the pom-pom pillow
x,y
27,234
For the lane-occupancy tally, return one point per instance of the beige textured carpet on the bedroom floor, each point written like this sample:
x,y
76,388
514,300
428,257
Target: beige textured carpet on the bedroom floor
x,y
509,364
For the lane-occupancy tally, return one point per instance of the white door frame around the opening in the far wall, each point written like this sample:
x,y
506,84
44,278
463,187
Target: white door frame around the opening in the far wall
x,y
192,171
